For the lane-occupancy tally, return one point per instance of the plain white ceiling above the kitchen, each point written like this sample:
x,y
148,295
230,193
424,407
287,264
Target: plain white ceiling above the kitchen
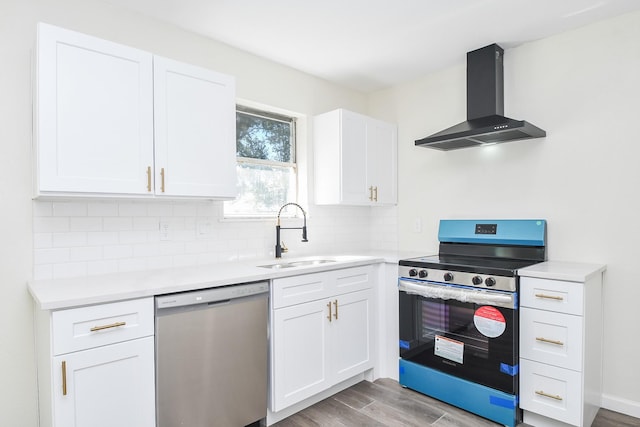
x,y
369,45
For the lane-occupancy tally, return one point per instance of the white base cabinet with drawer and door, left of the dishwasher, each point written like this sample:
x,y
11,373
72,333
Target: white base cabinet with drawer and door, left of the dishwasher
x,y
96,365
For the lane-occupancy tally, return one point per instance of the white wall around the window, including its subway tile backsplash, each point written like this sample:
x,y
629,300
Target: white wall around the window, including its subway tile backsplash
x,y
80,238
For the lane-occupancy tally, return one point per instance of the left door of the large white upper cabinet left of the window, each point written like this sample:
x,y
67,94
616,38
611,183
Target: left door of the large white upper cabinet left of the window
x,y
94,115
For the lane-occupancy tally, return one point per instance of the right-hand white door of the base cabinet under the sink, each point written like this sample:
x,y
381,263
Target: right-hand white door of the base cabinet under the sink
x,y
351,335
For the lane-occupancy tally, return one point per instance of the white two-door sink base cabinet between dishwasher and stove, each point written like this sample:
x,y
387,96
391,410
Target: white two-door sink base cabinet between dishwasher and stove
x,y
321,332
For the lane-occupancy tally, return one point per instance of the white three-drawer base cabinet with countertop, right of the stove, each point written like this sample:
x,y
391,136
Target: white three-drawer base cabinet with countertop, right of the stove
x,y
561,343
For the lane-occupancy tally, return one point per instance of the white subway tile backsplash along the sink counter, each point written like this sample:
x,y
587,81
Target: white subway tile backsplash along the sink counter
x,y
80,238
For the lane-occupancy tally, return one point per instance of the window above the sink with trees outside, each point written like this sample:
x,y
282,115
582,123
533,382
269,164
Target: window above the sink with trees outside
x,y
267,173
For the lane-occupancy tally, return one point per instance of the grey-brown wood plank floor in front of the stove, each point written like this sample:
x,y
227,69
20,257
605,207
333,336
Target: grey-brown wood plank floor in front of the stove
x,y
386,403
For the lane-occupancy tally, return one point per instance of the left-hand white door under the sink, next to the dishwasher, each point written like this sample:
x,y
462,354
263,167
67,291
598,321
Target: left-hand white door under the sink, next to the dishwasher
x,y
299,353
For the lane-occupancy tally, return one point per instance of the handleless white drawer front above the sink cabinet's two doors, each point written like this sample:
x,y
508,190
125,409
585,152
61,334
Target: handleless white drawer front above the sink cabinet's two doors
x,y
309,287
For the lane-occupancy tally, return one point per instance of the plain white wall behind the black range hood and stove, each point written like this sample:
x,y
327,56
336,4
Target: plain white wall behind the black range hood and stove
x,y
583,88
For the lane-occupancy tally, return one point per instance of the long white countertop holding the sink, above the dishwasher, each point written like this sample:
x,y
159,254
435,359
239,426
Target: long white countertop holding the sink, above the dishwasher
x,y
65,293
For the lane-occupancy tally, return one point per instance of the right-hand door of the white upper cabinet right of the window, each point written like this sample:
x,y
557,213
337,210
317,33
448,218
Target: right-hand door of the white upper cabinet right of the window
x,y
381,161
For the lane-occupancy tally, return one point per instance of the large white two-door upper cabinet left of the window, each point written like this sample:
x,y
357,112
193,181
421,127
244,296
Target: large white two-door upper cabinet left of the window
x,y
112,120
